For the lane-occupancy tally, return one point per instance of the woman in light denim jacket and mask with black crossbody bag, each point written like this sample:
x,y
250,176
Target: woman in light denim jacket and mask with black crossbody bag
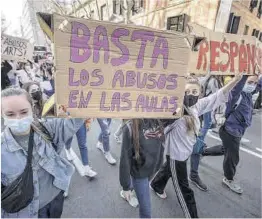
x,y
51,172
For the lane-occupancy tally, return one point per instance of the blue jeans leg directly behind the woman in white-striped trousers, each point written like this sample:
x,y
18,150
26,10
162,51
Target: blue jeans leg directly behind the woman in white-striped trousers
x,y
198,147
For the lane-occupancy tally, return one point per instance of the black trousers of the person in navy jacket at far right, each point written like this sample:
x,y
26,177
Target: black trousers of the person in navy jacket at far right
x,y
231,153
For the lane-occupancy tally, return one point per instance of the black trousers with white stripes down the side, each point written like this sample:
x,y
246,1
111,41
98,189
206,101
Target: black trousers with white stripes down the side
x,y
178,171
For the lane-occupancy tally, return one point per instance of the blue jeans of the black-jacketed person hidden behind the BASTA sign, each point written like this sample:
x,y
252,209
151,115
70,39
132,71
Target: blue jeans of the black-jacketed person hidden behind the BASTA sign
x,y
141,187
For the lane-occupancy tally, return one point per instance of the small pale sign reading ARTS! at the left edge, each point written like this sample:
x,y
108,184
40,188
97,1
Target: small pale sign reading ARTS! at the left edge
x,y
15,48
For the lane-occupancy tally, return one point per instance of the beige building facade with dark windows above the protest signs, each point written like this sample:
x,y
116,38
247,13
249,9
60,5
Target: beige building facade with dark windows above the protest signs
x,y
241,17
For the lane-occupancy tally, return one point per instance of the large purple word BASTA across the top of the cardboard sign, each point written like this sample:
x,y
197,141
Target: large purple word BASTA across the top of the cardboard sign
x,y
81,47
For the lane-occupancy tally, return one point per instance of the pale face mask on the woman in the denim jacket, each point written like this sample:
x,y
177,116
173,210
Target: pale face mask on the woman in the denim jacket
x,y
19,126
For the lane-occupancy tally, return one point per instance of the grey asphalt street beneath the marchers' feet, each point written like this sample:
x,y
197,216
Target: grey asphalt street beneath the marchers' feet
x,y
100,196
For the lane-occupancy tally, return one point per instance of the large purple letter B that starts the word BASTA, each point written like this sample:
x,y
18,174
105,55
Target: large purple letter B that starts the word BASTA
x,y
78,43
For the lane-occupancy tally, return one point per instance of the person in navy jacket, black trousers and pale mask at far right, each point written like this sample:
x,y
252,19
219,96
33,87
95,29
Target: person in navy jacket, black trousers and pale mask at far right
x,y
238,117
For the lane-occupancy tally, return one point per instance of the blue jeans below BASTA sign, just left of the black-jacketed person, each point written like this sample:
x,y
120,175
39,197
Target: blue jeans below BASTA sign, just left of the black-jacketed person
x,y
104,135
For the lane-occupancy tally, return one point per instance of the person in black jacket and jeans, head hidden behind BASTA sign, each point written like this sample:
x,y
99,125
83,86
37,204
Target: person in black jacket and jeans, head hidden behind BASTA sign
x,y
140,154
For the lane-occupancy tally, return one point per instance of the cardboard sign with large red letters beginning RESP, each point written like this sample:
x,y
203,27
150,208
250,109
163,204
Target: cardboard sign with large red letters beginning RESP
x,y
226,54
